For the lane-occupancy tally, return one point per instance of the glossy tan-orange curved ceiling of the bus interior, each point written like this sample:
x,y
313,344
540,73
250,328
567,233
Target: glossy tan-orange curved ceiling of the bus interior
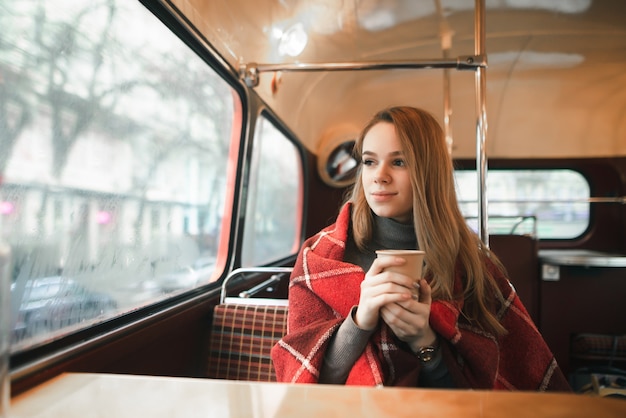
x,y
556,78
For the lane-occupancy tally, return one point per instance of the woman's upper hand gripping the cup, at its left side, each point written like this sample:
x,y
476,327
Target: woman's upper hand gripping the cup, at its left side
x,y
379,288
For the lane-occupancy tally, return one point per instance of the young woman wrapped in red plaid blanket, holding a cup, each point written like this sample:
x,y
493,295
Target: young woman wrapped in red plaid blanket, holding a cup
x,y
352,321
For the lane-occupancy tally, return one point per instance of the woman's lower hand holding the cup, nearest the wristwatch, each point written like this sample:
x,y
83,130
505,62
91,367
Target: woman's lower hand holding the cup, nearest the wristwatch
x,y
409,320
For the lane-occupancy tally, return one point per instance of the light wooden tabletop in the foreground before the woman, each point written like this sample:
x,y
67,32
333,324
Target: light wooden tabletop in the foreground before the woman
x,y
108,395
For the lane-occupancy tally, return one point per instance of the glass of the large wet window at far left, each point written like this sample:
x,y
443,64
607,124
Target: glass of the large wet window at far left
x,y
114,145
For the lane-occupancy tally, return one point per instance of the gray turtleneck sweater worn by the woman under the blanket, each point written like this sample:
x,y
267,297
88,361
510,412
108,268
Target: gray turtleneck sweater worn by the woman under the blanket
x,y
349,341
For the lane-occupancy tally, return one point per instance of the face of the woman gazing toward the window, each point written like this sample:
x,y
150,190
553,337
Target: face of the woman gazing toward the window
x,y
385,175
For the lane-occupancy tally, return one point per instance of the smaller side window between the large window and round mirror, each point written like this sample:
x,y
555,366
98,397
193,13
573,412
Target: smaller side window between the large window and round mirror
x,y
274,204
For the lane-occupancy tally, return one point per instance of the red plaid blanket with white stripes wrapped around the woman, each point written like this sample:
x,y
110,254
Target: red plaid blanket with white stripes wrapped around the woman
x,y
323,289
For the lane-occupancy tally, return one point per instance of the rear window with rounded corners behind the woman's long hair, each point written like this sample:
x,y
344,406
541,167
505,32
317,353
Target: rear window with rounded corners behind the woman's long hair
x,y
549,204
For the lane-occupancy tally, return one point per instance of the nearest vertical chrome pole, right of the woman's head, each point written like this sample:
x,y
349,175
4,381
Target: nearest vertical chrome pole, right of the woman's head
x,y
481,122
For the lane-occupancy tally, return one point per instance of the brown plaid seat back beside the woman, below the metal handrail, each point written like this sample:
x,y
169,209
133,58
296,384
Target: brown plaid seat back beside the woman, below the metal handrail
x,y
241,339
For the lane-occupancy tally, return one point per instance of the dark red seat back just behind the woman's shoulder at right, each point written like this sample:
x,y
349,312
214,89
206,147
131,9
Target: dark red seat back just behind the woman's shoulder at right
x,y
520,256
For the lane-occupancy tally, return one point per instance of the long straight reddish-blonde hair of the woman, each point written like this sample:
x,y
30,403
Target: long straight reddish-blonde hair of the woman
x,y
441,230
